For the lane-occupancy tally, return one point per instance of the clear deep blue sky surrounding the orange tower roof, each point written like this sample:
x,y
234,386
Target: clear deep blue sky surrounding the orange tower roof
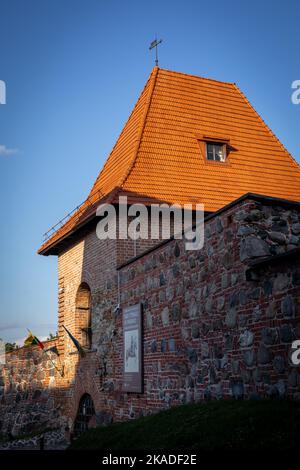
x,y
73,71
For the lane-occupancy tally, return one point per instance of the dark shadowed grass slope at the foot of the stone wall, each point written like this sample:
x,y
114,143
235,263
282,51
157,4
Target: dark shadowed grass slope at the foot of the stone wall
x,y
232,425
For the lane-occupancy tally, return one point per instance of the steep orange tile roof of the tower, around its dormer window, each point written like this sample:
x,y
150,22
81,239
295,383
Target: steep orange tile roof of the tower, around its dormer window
x,y
158,155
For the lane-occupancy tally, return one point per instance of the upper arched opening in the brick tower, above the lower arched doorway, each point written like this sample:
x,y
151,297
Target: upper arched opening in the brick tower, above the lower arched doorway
x,y
83,315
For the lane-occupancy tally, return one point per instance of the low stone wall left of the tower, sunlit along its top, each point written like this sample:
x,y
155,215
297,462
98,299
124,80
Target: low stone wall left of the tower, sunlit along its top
x,y
28,391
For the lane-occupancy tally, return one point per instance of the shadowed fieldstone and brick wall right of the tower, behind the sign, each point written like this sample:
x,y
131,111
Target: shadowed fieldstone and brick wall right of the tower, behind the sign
x,y
212,326
